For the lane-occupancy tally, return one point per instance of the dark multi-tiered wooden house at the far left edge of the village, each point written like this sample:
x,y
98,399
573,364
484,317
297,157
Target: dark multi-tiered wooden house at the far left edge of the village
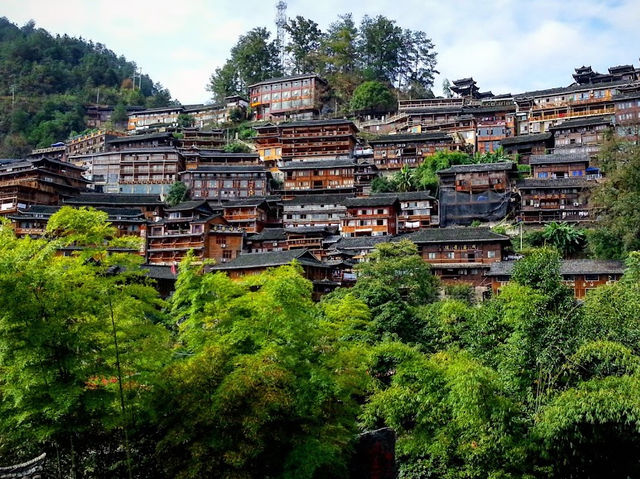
x,y
41,181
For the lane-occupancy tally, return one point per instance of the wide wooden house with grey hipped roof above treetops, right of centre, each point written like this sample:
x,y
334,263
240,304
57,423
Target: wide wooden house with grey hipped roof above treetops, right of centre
x,y
460,255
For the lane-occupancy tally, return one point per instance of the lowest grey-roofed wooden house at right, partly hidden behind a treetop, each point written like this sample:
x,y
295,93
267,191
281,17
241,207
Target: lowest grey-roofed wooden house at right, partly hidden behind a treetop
x,y
581,275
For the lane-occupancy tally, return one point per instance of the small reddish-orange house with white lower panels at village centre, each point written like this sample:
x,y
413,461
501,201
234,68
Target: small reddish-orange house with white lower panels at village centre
x,y
371,216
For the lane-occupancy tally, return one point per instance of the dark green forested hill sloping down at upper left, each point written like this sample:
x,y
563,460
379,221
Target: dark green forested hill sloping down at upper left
x,y
46,81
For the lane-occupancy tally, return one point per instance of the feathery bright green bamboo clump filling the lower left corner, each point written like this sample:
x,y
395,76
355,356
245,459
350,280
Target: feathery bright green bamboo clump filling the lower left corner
x,y
79,348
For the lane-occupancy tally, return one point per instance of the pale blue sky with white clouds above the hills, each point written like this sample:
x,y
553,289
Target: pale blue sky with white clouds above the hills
x,y
506,45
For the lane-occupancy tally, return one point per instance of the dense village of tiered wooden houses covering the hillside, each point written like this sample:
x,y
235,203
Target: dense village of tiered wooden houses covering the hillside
x,y
301,185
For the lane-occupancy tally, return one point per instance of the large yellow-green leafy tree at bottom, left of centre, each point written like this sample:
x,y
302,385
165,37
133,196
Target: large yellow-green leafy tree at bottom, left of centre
x,y
264,390
